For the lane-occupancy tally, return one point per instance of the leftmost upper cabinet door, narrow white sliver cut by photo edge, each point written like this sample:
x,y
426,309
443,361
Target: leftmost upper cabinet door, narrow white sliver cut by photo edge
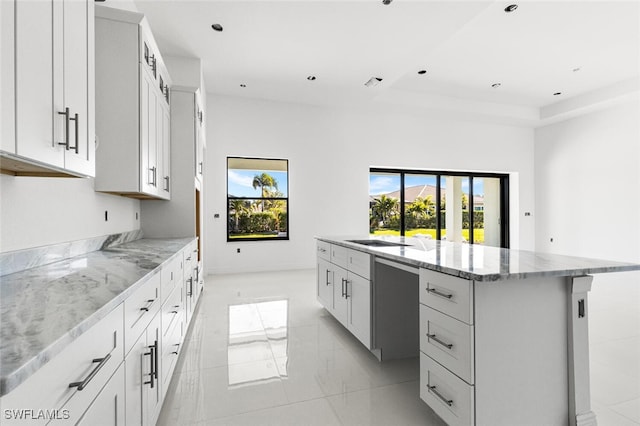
x,y
7,77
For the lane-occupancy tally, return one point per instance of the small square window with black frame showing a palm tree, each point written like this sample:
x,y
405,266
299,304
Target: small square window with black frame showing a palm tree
x,y
257,199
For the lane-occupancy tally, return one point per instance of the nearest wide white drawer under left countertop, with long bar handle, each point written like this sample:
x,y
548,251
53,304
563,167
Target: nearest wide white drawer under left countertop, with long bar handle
x,y
90,360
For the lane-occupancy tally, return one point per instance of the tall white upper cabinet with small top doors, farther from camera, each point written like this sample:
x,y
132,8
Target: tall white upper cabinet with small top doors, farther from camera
x,y
132,108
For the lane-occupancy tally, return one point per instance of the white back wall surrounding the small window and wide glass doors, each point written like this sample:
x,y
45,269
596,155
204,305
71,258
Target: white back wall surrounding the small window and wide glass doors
x,y
330,152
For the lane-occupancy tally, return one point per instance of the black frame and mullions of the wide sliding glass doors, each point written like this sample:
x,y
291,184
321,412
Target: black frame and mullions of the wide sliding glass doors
x,y
439,174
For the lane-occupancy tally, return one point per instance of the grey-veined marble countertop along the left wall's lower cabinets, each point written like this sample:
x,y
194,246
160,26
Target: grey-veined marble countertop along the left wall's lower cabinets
x,y
45,308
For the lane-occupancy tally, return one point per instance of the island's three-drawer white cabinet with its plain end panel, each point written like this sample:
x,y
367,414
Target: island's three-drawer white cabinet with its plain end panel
x,y
494,353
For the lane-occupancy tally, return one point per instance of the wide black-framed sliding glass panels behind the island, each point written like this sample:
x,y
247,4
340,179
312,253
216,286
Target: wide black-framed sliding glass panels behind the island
x,y
455,206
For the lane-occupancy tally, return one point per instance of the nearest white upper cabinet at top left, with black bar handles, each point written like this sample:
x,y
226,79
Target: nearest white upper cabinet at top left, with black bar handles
x,y
51,130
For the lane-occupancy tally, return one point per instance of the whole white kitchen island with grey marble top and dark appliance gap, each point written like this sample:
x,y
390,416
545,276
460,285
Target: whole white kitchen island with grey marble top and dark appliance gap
x,y
502,335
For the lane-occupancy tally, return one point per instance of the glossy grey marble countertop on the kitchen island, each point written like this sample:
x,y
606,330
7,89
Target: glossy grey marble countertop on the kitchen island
x,y
480,263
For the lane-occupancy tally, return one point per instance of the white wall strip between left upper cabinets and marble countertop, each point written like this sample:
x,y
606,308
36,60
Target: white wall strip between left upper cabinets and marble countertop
x,y
42,211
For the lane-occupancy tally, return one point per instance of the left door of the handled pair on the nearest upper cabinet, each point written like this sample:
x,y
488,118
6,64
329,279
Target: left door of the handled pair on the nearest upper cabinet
x,y
34,84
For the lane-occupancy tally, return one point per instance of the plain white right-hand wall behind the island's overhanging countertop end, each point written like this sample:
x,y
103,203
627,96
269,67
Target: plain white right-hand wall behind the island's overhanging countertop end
x,y
587,180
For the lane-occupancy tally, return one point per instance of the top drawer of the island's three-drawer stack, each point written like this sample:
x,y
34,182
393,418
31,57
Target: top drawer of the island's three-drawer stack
x,y
448,294
